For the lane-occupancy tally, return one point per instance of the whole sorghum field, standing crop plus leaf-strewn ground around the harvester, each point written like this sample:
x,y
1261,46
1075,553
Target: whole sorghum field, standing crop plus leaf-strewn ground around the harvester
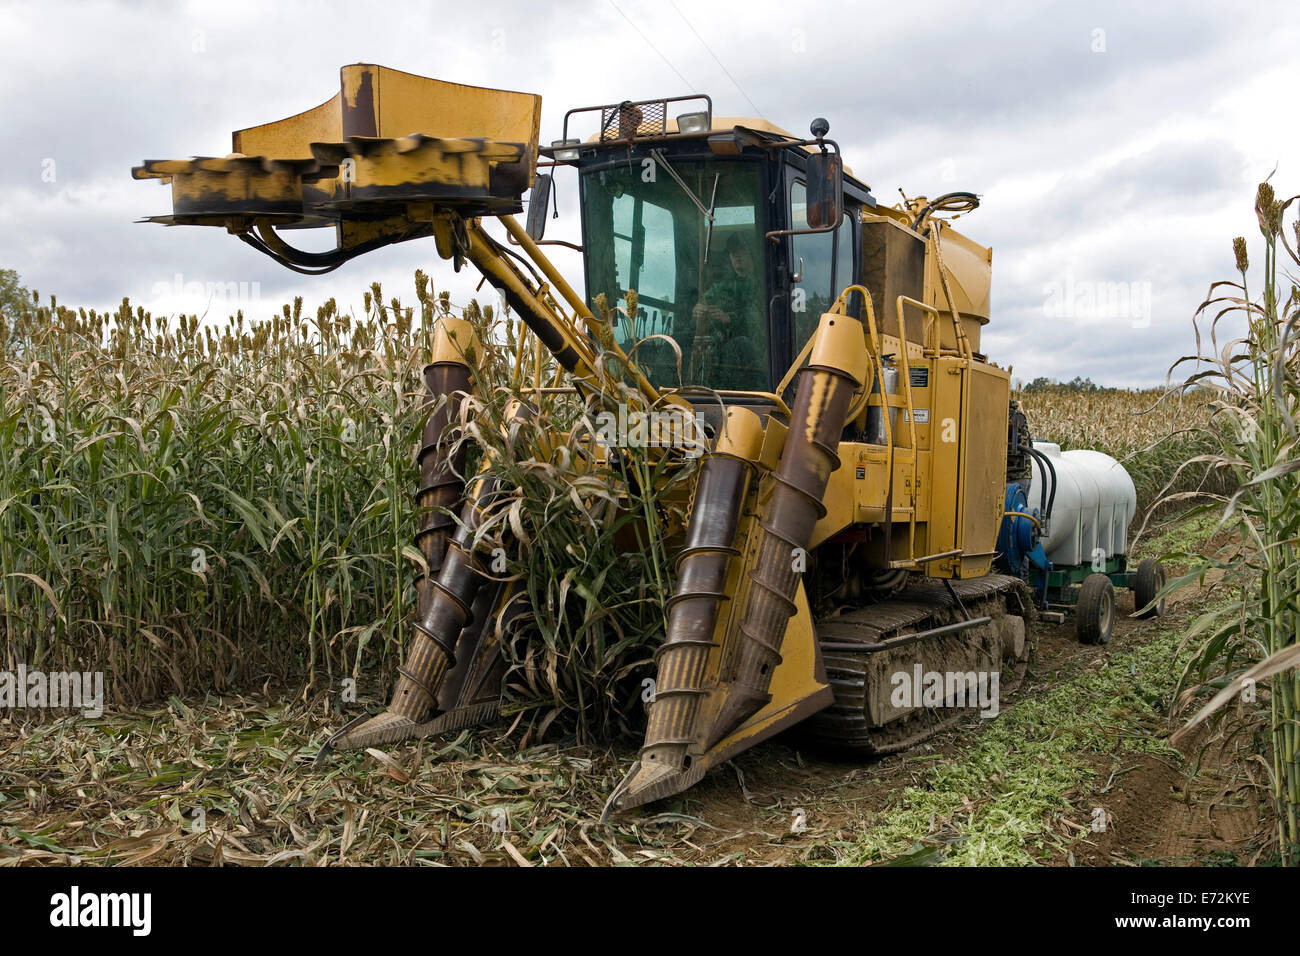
x,y
220,521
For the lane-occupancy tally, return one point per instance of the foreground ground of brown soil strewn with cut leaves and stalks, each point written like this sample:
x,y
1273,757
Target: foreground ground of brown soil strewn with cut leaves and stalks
x,y
231,782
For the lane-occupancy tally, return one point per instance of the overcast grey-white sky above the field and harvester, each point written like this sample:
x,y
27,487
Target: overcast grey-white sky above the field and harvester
x,y
1111,144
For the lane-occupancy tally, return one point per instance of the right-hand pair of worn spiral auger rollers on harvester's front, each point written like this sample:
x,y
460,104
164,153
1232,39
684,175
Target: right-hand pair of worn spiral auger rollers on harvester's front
x,y
703,715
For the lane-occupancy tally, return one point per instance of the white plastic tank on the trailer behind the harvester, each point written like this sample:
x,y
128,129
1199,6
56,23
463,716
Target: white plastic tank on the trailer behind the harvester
x,y
1095,503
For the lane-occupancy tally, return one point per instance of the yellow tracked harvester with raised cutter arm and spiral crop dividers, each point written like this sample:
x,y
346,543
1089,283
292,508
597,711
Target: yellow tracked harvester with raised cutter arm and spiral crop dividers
x,y
865,457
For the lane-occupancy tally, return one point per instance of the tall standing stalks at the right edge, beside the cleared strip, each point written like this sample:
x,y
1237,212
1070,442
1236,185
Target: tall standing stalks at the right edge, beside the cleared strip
x,y
1256,386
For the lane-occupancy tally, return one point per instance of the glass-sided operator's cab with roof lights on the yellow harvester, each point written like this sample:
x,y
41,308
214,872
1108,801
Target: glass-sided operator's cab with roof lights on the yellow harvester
x,y
709,222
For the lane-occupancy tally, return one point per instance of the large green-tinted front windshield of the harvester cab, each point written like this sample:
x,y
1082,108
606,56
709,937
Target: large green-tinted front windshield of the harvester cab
x,y
703,287
